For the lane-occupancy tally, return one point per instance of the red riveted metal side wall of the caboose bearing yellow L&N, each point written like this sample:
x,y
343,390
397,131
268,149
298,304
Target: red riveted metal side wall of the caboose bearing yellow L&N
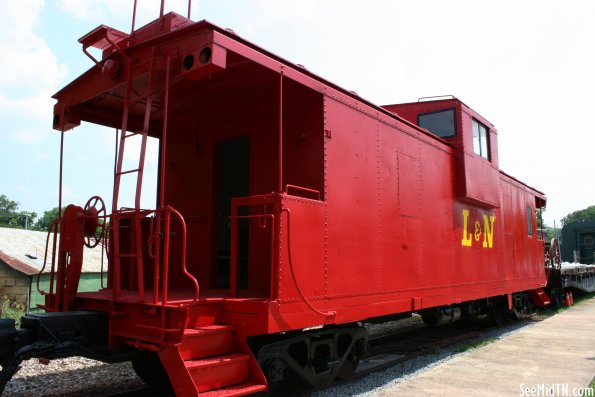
x,y
397,234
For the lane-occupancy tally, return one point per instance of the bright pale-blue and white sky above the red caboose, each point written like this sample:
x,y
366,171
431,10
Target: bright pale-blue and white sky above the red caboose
x,y
527,66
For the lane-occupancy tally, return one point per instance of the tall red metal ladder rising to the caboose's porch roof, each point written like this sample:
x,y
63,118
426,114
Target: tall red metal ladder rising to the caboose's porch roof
x,y
132,98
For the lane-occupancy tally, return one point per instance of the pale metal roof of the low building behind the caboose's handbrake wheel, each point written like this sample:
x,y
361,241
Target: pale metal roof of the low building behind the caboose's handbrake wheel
x,y
24,251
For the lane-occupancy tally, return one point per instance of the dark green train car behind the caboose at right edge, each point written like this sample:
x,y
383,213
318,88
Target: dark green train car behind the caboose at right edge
x,y
578,242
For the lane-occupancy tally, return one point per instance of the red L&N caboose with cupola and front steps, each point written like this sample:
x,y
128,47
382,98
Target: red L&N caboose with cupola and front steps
x,y
288,211
